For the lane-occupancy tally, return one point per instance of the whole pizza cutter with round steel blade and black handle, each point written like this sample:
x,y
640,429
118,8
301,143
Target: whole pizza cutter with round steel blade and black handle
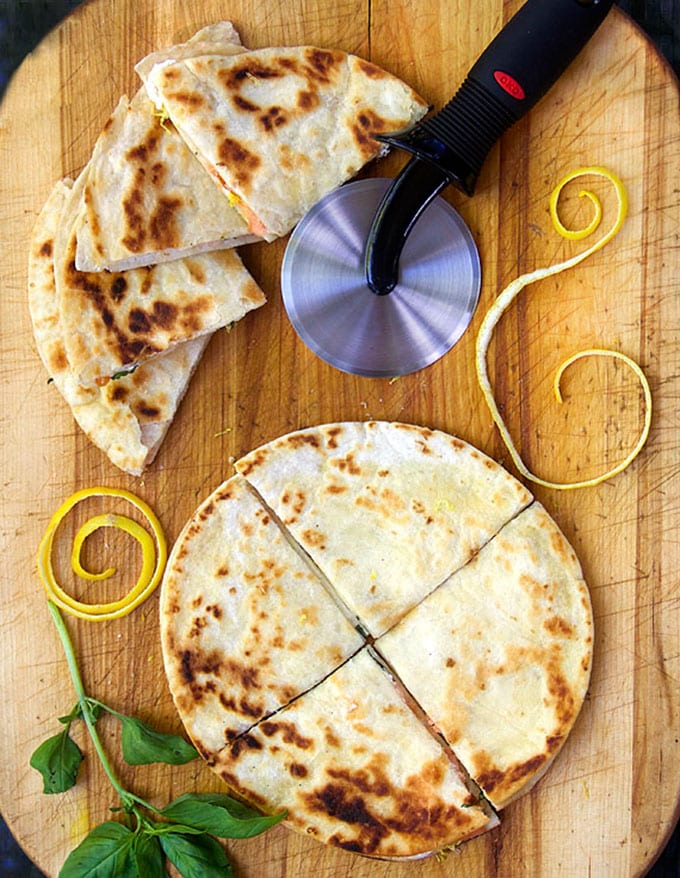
x,y
381,278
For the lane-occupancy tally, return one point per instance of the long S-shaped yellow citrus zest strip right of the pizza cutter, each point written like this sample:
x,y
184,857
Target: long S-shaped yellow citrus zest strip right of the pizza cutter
x,y
508,295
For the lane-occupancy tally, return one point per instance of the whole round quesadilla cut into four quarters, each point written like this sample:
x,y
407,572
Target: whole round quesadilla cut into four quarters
x,y
472,675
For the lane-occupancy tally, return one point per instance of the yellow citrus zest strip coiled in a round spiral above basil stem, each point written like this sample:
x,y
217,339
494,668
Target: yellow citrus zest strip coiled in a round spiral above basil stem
x,y
154,556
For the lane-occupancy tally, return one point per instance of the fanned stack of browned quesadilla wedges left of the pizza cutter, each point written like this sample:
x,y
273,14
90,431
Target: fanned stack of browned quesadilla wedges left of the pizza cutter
x,y
221,147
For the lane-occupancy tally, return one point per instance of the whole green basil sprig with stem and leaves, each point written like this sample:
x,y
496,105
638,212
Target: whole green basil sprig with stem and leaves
x,y
183,832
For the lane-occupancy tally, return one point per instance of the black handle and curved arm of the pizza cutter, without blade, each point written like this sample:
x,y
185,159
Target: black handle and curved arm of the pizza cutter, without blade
x,y
513,73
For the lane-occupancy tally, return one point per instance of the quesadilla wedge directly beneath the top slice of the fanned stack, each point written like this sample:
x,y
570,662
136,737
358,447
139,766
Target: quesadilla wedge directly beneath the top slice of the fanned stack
x,y
146,198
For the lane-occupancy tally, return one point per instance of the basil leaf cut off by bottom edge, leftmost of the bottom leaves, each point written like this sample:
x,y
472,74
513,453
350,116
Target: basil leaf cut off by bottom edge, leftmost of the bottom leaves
x,y
104,853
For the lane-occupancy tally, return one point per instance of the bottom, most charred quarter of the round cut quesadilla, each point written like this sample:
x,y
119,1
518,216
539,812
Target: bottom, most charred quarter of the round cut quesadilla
x,y
355,768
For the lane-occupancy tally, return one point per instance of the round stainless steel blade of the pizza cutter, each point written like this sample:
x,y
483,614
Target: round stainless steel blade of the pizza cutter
x,y
339,318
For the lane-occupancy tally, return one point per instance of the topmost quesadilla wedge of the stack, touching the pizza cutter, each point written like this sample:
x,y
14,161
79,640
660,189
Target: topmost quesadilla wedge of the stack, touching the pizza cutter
x,y
280,127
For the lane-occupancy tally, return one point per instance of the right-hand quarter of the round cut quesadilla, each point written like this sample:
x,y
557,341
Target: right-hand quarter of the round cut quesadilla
x,y
499,657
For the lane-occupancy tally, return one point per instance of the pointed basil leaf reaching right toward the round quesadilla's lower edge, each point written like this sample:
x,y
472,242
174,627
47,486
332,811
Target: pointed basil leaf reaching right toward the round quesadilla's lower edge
x,y
219,815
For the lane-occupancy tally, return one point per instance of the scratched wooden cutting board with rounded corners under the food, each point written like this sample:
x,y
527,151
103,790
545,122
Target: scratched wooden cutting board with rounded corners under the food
x,y
609,802
